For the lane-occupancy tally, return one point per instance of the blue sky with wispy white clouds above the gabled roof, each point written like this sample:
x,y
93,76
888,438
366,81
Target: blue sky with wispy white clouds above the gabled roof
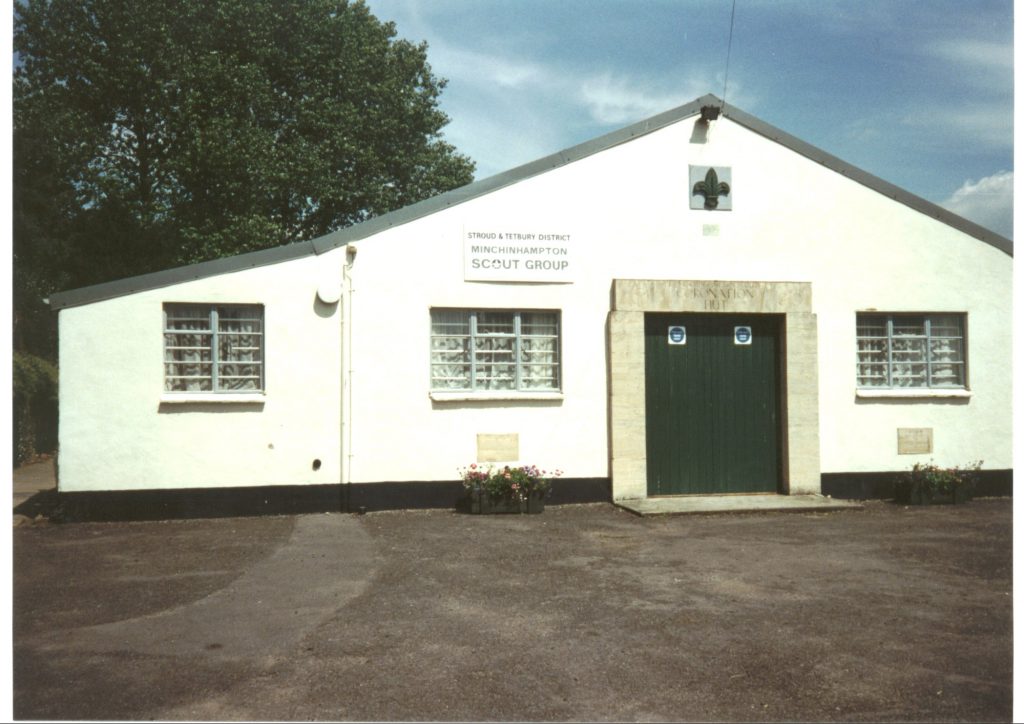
x,y
919,93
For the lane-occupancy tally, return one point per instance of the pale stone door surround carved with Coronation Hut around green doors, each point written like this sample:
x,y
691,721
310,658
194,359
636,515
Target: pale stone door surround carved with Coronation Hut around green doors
x,y
631,300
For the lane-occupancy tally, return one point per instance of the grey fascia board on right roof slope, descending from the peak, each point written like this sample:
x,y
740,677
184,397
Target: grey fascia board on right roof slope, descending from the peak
x,y
874,183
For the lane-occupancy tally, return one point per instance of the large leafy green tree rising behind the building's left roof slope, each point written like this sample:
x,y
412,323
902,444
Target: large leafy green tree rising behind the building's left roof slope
x,y
152,134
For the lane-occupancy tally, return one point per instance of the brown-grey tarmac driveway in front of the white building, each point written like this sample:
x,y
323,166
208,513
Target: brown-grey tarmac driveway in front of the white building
x,y
585,613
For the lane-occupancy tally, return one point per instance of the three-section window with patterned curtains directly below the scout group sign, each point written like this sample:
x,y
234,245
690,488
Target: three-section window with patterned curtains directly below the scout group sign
x,y
494,351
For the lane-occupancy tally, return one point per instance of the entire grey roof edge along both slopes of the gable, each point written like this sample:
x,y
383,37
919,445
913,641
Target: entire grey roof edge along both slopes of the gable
x,y
367,229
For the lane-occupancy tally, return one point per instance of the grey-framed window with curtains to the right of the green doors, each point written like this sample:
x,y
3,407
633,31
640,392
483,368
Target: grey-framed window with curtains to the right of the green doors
x,y
911,351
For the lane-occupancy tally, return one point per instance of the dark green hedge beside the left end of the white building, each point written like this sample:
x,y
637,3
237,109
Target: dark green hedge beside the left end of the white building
x,y
35,407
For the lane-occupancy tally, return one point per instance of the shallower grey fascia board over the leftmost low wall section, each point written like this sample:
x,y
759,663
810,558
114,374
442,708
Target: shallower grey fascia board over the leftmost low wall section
x,y
168,278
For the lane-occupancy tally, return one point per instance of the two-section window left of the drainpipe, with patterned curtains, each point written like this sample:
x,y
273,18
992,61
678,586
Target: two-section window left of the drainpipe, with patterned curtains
x,y
214,349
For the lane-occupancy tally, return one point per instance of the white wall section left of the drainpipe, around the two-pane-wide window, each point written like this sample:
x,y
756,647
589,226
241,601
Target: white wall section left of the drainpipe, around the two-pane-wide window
x,y
117,435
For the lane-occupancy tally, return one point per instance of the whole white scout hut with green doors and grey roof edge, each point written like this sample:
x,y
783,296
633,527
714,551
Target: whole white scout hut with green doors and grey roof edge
x,y
697,304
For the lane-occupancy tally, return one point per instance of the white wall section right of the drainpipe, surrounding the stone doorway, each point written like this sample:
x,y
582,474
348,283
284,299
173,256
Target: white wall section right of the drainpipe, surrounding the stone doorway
x,y
627,209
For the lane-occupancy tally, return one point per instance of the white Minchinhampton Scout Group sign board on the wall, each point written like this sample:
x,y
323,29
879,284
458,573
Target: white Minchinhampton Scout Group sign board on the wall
x,y
518,255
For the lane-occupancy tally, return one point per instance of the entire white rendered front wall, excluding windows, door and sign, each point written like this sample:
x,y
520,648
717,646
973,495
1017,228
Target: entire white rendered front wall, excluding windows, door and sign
x,y
349,384
